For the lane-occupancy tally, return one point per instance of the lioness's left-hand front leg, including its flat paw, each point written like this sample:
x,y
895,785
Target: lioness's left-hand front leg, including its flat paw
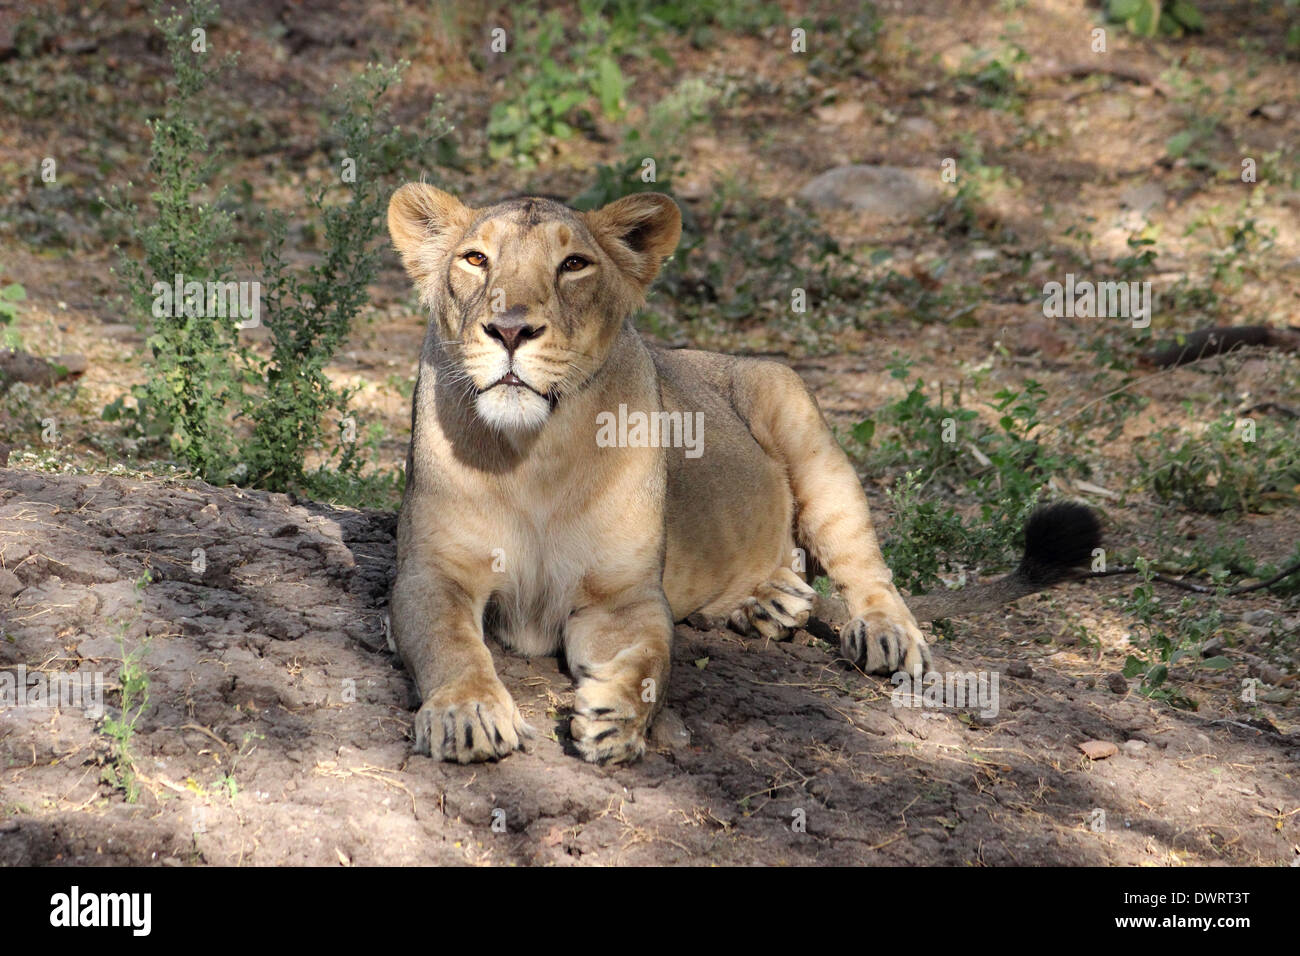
x,y
467,715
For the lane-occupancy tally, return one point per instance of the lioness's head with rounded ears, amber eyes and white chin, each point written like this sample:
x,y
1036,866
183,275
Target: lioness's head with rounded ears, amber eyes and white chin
x,y
528,295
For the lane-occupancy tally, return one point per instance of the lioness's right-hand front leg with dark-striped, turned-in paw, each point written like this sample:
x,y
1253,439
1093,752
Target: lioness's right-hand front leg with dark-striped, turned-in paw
x,y
619,654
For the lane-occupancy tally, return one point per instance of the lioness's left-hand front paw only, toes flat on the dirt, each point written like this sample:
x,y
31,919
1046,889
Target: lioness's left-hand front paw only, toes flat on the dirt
x,y
470,721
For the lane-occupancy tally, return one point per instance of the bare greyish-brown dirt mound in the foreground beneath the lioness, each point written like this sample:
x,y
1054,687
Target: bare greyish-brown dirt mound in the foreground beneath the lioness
x,y
271,668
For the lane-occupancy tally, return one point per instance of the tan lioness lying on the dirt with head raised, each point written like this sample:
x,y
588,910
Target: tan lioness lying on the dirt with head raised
x,y
523,516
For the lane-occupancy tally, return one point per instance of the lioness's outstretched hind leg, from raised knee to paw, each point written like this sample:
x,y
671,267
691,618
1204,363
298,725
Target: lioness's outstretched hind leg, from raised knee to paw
x,y
833,517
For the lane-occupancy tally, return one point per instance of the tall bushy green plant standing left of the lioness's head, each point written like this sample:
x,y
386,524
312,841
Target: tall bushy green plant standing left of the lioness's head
x,y
205,383
